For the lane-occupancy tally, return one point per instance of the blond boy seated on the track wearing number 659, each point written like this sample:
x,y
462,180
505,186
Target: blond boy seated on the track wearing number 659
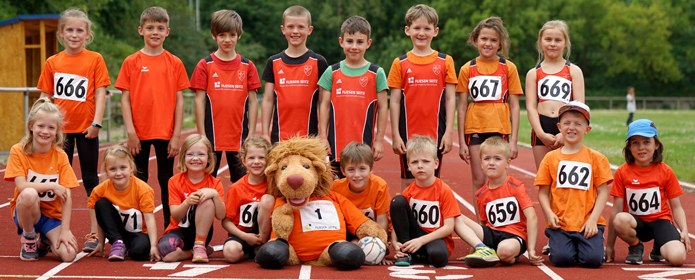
x,y
505,208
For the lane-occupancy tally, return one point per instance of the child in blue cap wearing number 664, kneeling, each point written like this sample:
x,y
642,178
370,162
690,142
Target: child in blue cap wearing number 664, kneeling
x,y
642,185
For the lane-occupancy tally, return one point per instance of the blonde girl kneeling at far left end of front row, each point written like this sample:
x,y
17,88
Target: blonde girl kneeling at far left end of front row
x,y
41,172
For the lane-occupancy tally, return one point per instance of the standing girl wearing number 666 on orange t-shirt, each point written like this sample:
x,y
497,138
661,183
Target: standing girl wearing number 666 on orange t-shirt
x,y
77,78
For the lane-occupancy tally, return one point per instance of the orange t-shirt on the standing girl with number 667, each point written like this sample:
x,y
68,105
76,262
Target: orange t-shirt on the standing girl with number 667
x,y
489,117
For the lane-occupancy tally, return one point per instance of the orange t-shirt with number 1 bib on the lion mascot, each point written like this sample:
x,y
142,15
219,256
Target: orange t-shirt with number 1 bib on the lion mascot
x,y
321,222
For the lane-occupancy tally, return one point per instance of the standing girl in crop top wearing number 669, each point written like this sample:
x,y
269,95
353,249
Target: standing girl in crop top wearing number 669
x,y
552,83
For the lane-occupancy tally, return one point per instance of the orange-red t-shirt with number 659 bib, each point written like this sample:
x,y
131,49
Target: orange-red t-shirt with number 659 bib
x,y
502,208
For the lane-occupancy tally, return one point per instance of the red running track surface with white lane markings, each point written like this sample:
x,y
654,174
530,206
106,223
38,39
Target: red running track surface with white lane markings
x,y
455,173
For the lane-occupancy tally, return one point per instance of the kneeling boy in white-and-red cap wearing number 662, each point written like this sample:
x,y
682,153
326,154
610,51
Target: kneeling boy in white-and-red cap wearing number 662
x,y
572,192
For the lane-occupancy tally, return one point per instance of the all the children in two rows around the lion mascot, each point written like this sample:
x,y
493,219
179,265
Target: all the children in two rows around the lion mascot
x,y
346,105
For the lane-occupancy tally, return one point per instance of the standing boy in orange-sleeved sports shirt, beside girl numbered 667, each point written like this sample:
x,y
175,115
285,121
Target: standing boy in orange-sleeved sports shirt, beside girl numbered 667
x,y
423,90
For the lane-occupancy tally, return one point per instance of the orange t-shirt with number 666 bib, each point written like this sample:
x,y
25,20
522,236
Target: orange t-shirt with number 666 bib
x,y
72,80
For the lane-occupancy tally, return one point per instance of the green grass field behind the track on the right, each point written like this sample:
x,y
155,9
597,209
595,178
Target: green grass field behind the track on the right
x,y
676,132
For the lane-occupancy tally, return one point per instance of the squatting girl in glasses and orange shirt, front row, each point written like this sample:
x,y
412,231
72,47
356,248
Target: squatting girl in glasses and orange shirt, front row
x,y
195,201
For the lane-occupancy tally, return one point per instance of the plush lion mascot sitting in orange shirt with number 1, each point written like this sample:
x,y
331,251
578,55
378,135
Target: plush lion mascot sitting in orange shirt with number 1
x,y
309,220
